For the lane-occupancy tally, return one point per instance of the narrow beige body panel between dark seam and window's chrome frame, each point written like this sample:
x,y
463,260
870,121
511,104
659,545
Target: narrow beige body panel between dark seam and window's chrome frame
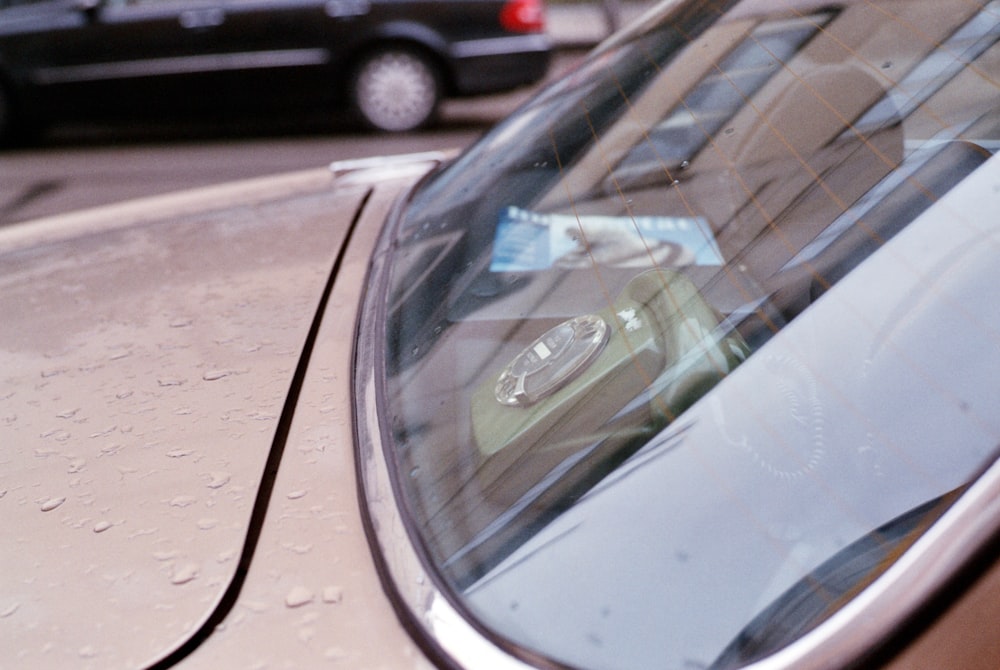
x,y
312,594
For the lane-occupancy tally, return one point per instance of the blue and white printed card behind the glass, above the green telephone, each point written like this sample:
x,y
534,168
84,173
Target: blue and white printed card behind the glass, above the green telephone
x,y
527,241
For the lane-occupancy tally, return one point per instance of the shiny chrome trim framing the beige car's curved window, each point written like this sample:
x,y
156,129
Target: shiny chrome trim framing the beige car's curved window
x,y
848,636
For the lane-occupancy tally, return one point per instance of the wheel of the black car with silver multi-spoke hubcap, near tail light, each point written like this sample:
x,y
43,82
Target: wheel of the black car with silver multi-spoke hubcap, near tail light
x,y
396,89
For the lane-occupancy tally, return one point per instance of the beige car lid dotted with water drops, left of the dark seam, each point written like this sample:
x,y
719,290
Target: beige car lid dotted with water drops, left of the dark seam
x,y
147,352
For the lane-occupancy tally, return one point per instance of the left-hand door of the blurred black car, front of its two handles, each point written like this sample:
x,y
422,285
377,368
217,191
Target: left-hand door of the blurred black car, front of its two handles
x,y
115,57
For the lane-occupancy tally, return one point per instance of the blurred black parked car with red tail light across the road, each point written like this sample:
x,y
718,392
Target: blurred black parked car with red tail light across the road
x,y
391,62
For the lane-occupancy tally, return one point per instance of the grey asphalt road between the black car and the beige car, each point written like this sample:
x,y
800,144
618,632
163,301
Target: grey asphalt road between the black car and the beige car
x,y
74,168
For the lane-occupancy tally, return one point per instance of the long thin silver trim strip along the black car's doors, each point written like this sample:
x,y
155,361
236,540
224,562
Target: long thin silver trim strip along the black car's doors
x,y
181,65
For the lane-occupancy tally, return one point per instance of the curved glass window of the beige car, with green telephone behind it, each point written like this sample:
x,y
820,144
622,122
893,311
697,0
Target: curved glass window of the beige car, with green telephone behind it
x,y
682,355
